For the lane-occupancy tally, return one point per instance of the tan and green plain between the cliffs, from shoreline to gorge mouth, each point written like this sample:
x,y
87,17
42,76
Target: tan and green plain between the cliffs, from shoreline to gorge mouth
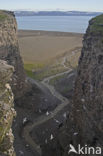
x,y
44,55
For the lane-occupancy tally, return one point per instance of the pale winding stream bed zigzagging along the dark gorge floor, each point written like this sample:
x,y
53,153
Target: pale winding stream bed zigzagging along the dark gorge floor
x,y
44,118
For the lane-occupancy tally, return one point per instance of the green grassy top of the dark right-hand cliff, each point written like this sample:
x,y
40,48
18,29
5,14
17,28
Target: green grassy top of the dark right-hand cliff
x,y
97,24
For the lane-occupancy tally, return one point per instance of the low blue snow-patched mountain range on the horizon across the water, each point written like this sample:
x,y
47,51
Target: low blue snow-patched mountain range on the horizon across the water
x,y
56,13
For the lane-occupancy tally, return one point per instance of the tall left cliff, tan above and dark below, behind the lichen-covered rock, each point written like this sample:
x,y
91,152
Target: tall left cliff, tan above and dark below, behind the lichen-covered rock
x,y
9,51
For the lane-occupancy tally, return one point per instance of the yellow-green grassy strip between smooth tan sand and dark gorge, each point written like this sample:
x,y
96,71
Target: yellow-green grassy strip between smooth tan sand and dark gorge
x,y
40,70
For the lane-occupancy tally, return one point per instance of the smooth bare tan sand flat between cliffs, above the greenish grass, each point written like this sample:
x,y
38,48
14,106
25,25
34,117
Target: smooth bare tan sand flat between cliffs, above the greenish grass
x,y
41,46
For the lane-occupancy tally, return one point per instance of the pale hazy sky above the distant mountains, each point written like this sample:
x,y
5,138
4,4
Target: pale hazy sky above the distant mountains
x,y
37,5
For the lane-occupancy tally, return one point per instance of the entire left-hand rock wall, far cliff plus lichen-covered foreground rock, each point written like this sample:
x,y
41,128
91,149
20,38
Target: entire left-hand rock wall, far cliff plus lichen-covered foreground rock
x,y
12,73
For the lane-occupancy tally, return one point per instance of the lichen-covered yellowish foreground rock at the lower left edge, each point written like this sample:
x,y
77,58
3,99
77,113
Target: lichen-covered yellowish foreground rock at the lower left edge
x,y
7,111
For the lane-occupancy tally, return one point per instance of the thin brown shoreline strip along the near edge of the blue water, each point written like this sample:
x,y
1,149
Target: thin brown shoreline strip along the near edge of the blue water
x,y
28,33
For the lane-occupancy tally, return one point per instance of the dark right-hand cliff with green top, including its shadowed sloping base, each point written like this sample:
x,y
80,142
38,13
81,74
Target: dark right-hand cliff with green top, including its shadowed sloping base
x,y
85,123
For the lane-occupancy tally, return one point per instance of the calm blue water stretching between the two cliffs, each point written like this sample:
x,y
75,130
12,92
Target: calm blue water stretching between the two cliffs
x,y
76,24
